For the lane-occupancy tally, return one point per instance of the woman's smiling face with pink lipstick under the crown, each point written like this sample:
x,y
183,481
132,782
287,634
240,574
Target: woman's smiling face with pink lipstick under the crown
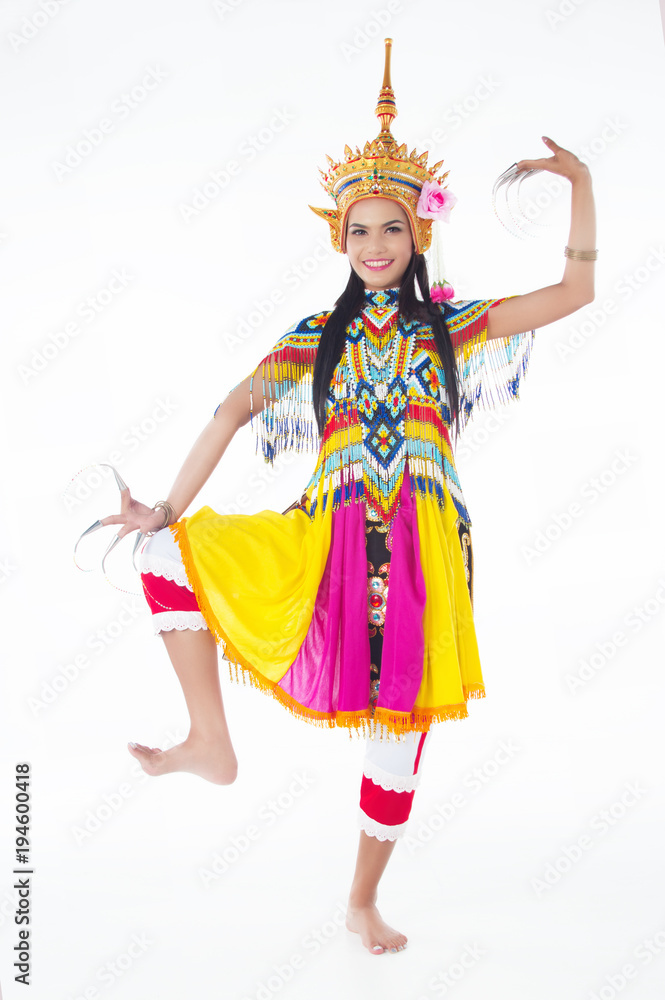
x,y
379,242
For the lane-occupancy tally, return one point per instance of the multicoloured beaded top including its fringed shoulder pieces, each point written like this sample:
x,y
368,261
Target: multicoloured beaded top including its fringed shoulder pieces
x,y
387,402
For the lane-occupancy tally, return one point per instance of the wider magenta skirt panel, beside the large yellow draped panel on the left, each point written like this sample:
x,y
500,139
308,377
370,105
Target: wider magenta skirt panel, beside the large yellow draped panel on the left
x,y
331,670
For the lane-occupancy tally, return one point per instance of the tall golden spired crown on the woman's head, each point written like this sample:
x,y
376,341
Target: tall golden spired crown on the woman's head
x,y
383,169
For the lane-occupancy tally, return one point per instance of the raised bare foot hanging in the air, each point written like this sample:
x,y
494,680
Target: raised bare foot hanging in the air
x,y
213,759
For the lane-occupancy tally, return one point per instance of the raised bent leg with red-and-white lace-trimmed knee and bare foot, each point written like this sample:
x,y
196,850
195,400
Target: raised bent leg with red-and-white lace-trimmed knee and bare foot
x,y
208,750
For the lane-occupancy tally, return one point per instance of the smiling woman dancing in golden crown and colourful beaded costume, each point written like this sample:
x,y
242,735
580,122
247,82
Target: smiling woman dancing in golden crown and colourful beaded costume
x,y
300,600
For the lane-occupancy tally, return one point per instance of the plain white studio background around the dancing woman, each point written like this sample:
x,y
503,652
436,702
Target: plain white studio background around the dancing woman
x,y
590,75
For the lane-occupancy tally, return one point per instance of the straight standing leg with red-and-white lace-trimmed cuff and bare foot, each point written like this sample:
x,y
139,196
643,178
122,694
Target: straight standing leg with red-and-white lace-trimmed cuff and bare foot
x,y
390,776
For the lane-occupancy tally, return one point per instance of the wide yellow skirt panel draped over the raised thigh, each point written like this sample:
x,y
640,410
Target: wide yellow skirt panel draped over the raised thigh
x,y
280,557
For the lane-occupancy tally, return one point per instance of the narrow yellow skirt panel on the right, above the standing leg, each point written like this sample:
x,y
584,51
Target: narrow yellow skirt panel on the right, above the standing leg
x,y
452,670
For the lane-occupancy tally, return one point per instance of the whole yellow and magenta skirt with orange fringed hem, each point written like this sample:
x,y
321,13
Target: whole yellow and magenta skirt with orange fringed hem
x,y
286,595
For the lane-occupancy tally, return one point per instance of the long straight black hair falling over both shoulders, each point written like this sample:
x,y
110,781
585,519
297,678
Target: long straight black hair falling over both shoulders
x,y
349,305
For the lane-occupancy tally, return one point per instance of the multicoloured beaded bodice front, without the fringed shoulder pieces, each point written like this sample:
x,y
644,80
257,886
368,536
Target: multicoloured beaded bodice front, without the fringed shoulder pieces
x,y
386,374
